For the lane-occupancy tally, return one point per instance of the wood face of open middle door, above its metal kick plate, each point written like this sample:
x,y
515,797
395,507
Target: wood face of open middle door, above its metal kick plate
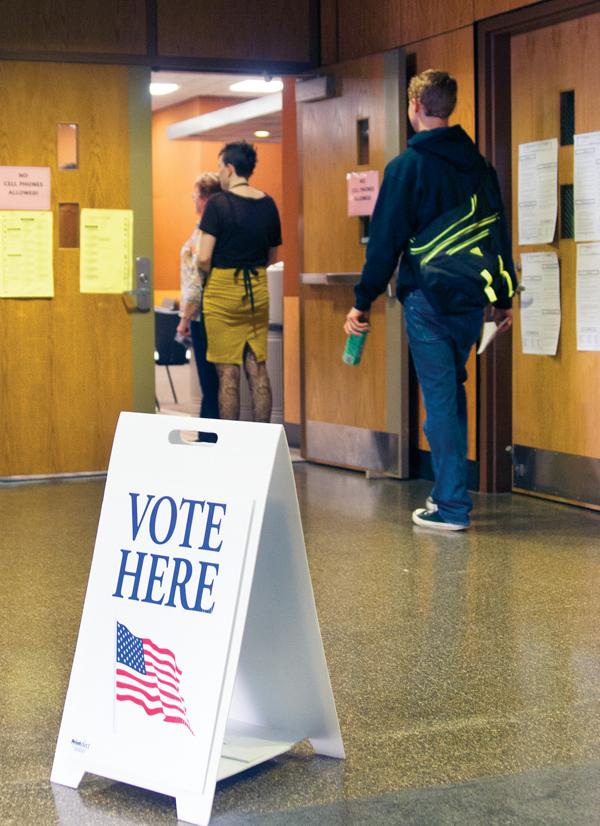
x,y
333,392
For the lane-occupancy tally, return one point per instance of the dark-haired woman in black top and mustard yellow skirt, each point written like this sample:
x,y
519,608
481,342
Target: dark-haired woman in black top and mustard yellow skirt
x,y
240,235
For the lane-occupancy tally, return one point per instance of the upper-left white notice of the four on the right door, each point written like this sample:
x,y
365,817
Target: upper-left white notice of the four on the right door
x,y
538,191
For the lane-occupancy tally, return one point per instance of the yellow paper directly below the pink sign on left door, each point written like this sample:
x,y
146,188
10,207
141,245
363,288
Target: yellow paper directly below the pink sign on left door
x,y
26,254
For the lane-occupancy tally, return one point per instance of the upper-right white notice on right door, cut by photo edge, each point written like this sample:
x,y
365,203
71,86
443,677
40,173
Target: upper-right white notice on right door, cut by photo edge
x,y
587,187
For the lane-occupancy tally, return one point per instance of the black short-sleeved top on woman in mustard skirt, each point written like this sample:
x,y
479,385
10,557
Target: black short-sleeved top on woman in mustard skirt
x,y
245,229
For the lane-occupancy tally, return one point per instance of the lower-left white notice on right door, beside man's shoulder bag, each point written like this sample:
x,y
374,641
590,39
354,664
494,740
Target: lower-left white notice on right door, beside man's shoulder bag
x,y
540,303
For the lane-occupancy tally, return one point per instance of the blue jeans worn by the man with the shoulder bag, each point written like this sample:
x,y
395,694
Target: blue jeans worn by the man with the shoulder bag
x,y
440,346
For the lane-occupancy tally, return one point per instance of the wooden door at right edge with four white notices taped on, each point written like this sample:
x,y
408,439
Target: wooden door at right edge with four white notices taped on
x,y
556,399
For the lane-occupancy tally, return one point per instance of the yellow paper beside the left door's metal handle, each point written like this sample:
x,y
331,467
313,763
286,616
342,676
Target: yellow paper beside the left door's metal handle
x,y
106,255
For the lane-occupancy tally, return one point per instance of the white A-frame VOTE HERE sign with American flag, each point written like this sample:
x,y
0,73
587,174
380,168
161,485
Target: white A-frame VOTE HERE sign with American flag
x,y
199,653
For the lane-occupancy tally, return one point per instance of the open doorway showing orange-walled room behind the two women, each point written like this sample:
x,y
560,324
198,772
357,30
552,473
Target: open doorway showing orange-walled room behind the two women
x,y
197,107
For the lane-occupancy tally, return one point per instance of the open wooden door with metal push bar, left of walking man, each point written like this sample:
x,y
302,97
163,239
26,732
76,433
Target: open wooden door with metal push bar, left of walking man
x,y
351,415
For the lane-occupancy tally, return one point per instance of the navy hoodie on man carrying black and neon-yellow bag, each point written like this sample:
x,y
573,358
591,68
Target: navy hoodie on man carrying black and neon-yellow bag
x,y
440,169
